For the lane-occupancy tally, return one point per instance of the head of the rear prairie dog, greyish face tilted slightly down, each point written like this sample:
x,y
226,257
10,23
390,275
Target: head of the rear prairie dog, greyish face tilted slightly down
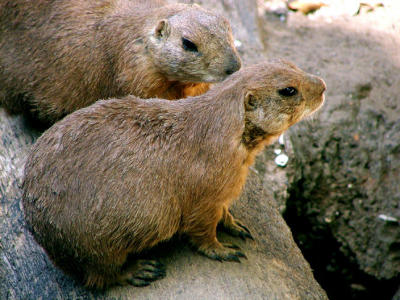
x,y
194,45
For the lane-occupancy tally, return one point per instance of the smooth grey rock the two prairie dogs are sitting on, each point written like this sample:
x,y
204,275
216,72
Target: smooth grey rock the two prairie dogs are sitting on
x,y
275,268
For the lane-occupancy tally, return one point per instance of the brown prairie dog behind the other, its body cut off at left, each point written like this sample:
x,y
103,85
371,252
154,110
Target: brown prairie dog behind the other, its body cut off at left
x,y
59,56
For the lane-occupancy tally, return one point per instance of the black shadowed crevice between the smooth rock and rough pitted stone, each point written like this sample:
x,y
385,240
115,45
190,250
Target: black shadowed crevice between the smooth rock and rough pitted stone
x,y
334,266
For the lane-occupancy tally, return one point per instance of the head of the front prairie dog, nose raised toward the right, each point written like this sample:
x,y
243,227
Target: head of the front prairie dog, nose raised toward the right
x,y
278,95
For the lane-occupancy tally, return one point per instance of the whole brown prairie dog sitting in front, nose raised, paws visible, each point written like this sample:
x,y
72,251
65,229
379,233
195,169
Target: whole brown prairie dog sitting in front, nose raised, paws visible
x,y
122,175
